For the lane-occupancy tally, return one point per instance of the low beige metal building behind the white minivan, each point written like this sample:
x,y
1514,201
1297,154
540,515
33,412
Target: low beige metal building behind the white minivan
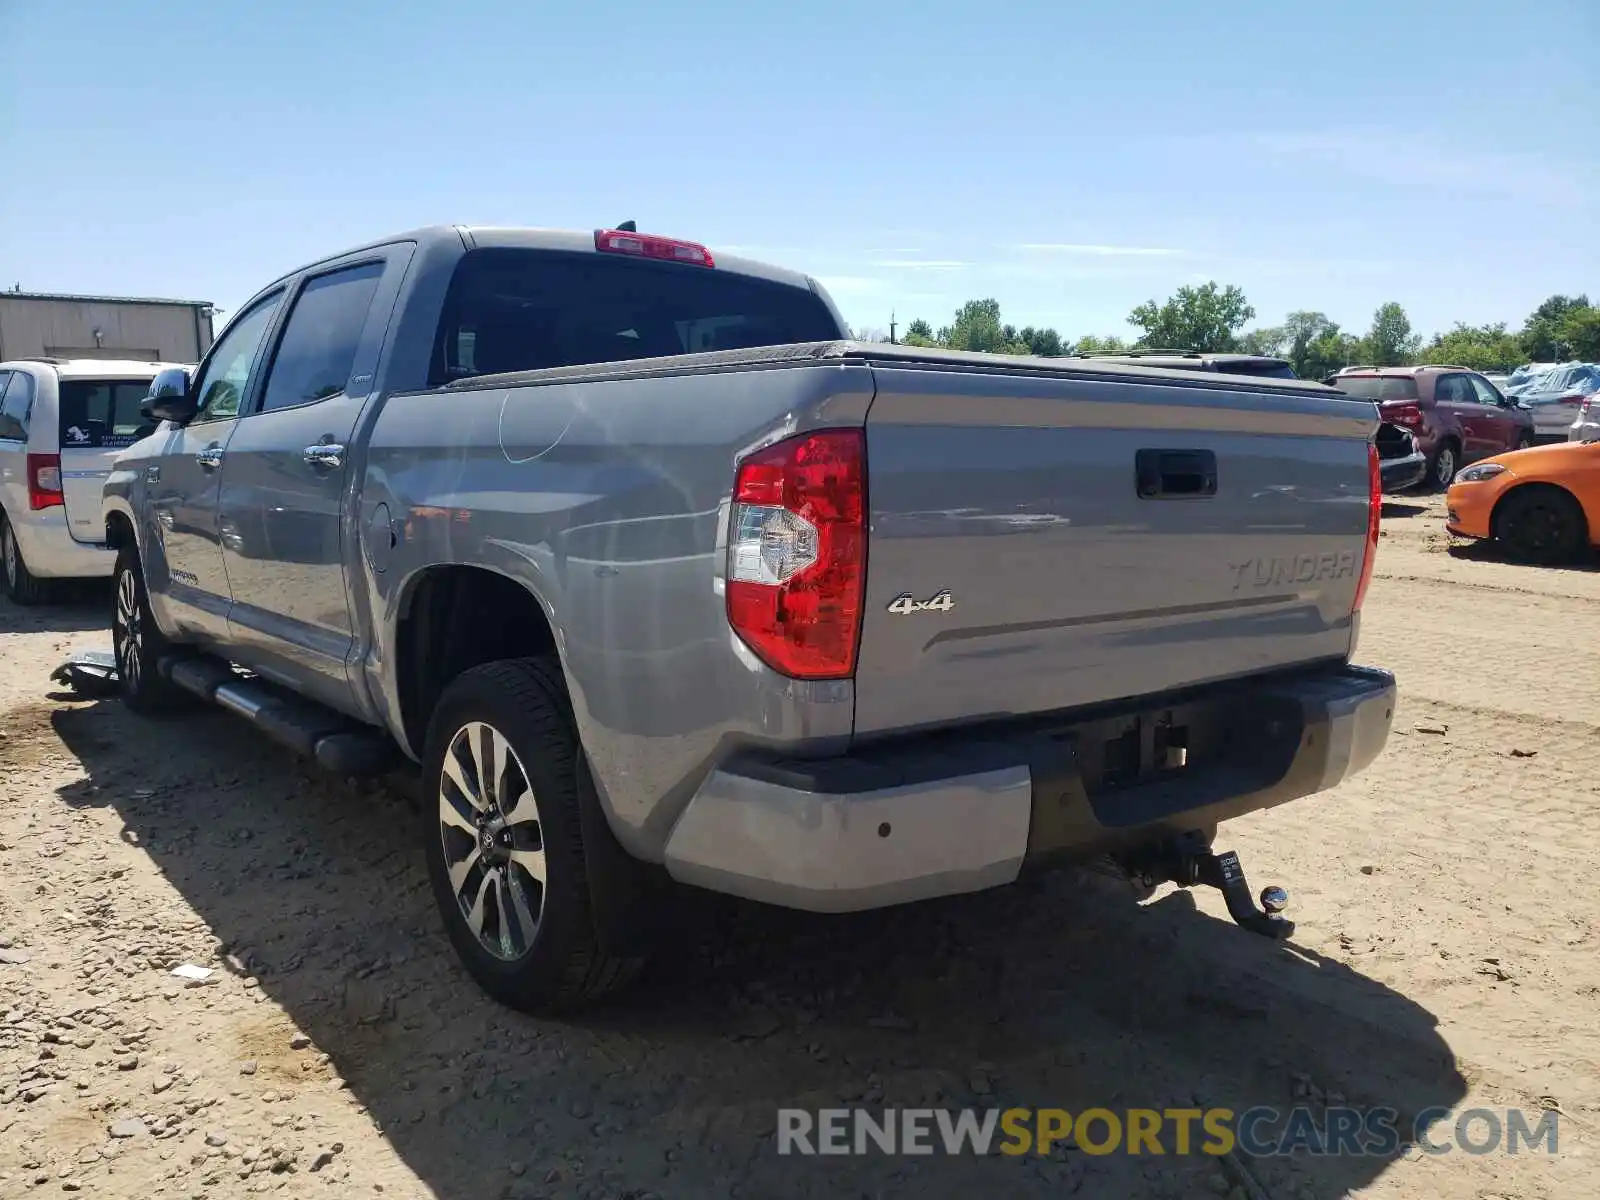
x,y
38,324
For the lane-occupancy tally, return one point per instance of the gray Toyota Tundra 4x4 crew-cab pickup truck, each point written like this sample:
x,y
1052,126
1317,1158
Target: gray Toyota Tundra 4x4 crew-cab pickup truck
x,y
662,580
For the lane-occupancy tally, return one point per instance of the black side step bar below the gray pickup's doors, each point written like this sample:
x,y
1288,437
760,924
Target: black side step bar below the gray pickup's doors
x,y
329,738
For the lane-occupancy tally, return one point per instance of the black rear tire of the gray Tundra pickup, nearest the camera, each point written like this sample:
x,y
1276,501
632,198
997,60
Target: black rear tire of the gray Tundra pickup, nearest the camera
x,y
558,964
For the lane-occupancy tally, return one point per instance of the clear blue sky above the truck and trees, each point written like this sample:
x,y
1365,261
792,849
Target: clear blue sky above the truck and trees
x,y
1070,161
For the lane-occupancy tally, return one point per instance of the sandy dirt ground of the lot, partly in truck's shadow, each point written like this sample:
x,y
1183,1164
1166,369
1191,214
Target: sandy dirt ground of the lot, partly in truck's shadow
x,y
1449,954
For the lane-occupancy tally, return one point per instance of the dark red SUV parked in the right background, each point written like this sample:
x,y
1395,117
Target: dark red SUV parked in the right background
x,y
1455,415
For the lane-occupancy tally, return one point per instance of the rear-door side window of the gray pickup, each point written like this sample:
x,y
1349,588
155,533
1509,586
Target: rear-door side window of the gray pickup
x,y
321,337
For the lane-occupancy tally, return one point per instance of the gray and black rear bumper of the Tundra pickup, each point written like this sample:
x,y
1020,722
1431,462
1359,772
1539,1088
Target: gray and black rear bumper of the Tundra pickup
x,y
932,818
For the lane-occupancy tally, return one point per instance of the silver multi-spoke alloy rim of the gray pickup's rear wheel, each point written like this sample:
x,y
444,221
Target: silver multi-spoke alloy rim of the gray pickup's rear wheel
x,y
489,822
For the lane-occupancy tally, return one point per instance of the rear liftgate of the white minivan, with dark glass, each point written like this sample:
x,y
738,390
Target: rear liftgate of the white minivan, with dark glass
x,y
97,420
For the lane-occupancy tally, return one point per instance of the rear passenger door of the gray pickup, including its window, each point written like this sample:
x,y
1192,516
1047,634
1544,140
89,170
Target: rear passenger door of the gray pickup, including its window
x,y
286,489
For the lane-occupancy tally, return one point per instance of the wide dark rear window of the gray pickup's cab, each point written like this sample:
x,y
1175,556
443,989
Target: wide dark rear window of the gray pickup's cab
x,y
529,310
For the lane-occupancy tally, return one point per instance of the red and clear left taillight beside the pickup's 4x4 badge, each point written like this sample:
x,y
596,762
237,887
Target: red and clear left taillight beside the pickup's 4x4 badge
x,y
798,553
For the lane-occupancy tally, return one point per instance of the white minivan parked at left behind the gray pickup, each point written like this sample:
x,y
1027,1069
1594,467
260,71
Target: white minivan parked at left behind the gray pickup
x,y
62,423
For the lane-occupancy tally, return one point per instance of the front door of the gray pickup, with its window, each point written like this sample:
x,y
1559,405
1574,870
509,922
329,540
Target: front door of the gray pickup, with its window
x,y
183,561
